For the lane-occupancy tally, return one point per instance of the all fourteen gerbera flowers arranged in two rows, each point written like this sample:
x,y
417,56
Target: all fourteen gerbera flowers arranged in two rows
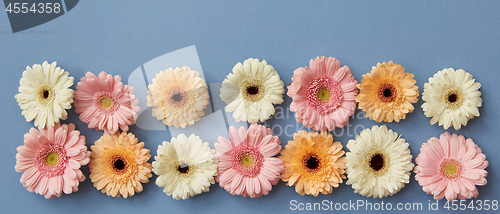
x,y
324,96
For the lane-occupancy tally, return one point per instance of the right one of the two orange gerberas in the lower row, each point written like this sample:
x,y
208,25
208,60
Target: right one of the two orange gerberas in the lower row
x,y
313,163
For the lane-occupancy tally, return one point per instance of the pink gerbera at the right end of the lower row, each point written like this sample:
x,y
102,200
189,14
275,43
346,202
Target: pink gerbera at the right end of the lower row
x,y
451,167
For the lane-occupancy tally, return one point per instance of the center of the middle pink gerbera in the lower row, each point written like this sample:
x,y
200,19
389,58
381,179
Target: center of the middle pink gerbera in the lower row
x,y
246,160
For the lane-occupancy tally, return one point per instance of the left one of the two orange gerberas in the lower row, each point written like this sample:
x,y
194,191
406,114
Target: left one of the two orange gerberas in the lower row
x,y
118,164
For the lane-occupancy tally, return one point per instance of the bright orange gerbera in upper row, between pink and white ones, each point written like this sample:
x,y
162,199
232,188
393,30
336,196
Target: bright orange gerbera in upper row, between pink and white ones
x,y
387,93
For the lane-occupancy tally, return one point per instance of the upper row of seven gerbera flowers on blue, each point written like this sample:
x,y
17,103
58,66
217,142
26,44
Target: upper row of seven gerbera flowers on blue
x,y
324,96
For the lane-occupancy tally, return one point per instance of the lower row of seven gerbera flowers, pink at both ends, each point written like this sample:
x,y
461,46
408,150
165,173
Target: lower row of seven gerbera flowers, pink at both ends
x,y
378,163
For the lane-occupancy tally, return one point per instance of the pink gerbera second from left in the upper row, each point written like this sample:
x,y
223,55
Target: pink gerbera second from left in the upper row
x,y
104,103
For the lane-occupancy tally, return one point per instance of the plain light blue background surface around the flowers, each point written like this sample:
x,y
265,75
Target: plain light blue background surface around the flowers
x,y
120,36
